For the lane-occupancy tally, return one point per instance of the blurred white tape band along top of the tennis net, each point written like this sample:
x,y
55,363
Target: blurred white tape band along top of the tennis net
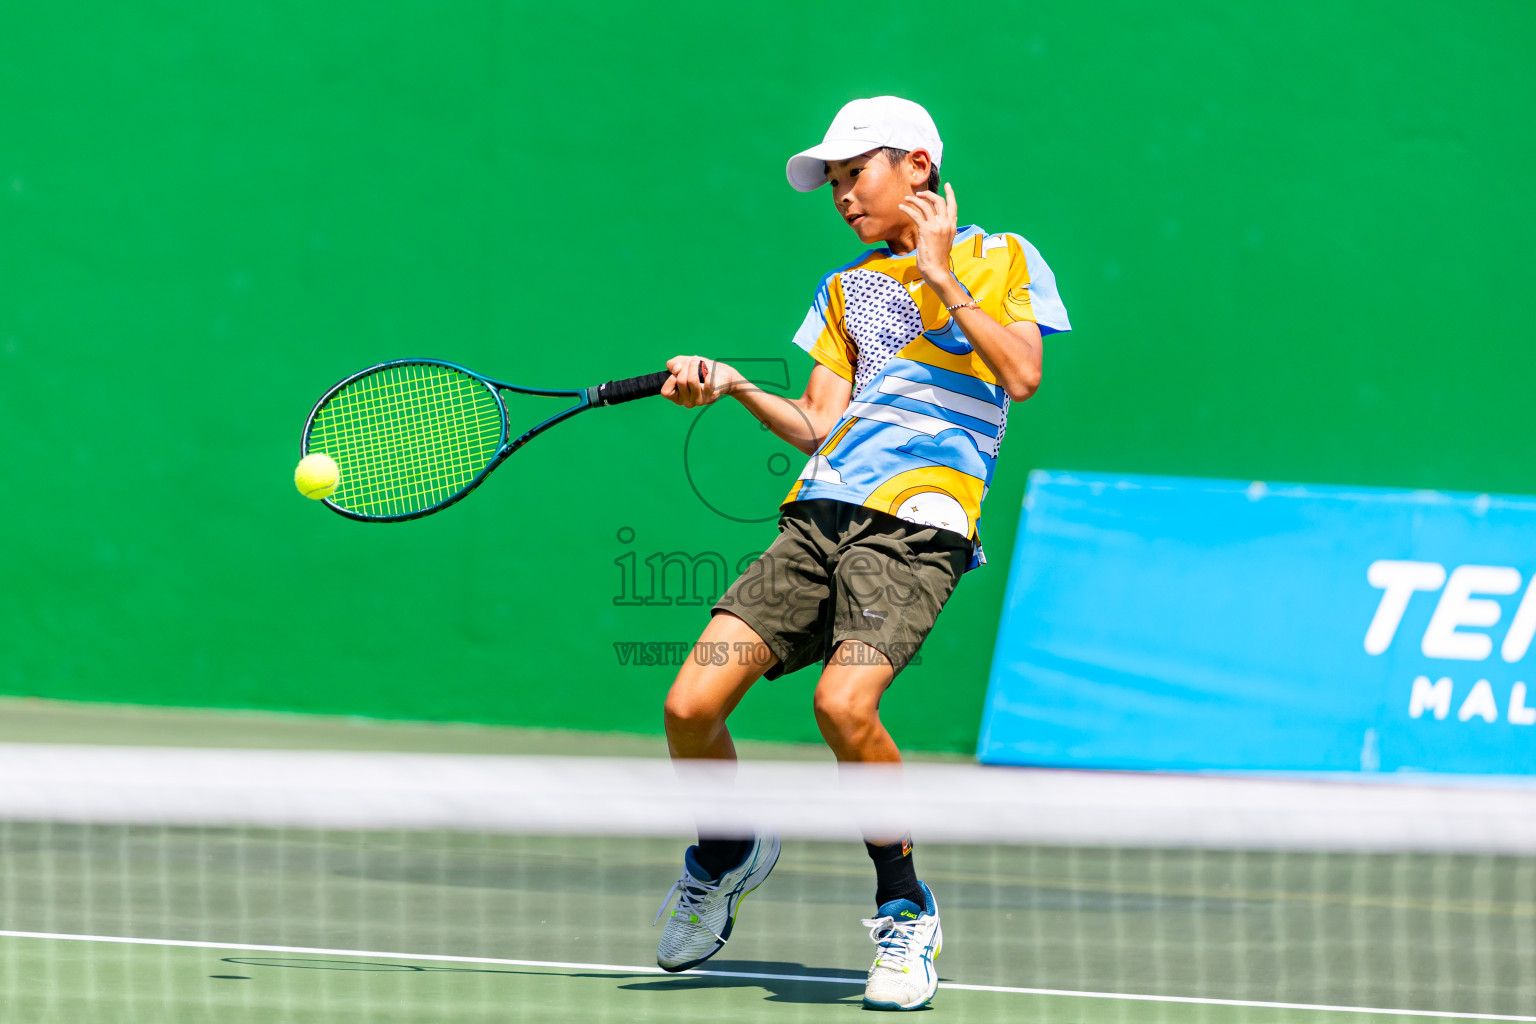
x,y
965,804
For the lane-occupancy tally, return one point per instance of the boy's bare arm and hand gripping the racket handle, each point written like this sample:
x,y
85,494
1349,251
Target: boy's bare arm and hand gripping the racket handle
x,y
801,421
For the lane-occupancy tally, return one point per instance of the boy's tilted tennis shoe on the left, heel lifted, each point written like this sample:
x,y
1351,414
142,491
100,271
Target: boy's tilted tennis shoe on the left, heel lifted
x,y
706,911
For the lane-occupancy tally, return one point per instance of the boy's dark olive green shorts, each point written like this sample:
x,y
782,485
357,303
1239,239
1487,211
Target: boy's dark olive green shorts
x,y
841,572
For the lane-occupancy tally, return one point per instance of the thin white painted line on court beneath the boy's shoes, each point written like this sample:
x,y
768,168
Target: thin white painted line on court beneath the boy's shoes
x,y
758,977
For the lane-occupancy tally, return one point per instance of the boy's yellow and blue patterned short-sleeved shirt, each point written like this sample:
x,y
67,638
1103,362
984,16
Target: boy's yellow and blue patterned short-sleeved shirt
x,y
927,418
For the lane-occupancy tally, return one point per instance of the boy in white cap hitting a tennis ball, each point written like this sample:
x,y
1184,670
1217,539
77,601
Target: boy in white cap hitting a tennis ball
x,y
919,348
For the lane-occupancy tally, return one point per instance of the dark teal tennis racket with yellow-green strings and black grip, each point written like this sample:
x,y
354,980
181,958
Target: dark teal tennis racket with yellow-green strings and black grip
x,y
412,437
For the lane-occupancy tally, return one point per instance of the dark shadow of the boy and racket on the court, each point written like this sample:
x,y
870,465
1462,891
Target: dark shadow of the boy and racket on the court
x,y
781,989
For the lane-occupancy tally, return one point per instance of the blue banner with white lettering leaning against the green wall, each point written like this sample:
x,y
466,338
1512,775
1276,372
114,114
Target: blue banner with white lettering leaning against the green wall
x,y
1180,624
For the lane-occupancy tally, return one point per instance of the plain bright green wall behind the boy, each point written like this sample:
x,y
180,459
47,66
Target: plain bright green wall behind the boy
x,y
1293,240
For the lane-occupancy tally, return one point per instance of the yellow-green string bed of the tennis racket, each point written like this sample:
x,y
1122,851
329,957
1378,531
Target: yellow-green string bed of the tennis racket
x,y
408,438
